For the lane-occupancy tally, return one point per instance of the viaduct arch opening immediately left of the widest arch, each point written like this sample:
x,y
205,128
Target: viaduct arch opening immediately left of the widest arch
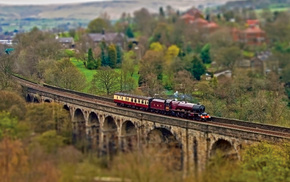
x,y
129,136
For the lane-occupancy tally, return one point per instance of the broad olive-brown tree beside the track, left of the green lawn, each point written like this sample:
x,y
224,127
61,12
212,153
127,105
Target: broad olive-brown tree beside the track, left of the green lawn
x,y
64,74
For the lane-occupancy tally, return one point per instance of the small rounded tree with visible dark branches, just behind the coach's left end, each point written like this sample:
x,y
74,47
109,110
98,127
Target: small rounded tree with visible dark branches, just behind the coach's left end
x,y
105,80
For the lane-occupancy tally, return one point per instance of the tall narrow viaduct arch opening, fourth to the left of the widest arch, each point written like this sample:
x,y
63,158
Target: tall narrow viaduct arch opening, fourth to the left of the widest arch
x,y
79,125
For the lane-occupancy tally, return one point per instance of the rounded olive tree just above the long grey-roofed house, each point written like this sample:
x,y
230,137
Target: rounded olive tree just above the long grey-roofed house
x,y
98,25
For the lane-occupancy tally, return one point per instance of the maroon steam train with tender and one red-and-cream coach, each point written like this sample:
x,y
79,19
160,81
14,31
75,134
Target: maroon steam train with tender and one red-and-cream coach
x,y
163,106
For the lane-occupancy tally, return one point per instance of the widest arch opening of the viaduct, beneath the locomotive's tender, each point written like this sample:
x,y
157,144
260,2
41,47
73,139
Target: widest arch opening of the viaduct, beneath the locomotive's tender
x,y
165,140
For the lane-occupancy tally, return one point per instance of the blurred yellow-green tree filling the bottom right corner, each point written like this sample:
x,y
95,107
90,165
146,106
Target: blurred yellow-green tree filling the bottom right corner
x,y
266,162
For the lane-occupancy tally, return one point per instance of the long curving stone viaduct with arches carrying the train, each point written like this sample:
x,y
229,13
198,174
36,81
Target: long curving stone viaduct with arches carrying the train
x,y
110,128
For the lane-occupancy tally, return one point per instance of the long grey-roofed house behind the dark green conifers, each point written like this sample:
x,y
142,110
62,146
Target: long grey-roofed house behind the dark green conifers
x,y
109,38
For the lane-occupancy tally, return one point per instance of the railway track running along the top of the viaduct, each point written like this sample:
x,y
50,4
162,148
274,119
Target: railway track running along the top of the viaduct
x,y
220,122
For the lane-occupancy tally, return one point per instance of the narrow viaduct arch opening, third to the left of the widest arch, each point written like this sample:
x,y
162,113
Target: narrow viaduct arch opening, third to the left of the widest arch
x,y
94,130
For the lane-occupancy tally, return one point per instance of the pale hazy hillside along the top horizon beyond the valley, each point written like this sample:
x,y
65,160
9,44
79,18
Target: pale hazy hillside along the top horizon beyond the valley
x,y
89,11
